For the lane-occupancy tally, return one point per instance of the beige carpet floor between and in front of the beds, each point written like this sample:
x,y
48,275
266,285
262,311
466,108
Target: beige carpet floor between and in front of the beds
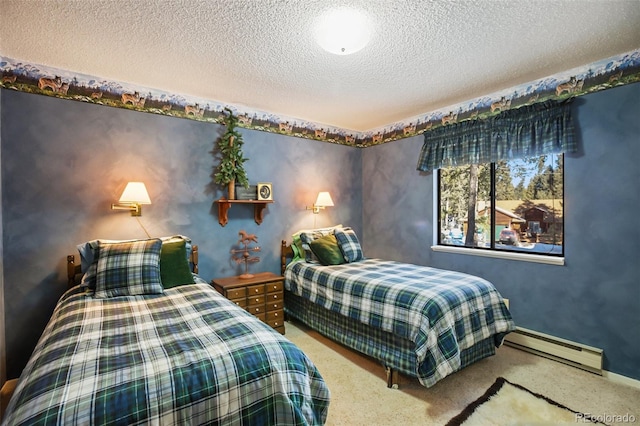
x,y
359,395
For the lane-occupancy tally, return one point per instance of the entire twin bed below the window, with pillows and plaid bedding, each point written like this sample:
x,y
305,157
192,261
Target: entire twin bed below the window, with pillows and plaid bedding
x,y
423,322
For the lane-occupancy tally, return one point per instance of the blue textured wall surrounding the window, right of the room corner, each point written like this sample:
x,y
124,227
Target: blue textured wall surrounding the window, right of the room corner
x,y
595,298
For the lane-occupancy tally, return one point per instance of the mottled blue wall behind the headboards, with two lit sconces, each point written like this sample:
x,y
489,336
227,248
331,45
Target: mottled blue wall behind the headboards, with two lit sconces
x,y
65,162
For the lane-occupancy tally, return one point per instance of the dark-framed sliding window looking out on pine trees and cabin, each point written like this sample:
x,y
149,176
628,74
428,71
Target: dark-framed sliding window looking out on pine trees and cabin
x,y
513,205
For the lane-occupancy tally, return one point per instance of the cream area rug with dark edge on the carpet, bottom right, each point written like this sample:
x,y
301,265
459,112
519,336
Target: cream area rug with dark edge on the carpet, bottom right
x,y
506,403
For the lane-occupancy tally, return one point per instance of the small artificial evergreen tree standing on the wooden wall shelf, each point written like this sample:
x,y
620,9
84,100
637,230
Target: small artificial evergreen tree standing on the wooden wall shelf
x,y
231,170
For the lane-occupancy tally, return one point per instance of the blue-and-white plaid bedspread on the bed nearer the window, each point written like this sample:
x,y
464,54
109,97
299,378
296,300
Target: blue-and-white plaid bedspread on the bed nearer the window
x,y
442,312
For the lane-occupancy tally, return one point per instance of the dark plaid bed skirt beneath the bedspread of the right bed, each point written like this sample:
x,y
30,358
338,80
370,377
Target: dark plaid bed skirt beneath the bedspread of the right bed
x,y
392,351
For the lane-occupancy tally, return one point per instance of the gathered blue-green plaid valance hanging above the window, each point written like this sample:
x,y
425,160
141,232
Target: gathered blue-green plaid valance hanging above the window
x,y
528,131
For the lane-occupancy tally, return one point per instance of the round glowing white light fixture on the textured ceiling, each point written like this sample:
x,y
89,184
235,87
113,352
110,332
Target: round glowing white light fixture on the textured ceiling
x,y
342,31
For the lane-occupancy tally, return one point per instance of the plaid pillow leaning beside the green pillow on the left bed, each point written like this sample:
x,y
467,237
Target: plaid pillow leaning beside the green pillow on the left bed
x,y
128,269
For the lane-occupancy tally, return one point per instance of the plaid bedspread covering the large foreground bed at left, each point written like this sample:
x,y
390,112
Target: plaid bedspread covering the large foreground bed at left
x,y
186,357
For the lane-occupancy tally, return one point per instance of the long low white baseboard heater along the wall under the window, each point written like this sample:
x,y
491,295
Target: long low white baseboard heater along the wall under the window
x,y
572,353
